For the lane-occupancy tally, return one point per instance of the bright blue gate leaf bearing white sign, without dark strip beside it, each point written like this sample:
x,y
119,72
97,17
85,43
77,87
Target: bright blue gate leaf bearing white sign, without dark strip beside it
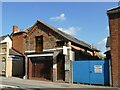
x,y
97,72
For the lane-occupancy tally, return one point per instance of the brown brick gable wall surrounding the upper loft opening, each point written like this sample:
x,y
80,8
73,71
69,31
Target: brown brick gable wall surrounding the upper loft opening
x,y
49,38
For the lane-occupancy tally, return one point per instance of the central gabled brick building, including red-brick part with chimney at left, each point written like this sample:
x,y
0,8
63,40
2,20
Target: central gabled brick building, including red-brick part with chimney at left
x,y
49,52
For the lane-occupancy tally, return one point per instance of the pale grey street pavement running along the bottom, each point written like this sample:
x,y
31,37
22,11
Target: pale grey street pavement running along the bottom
x,y
14,83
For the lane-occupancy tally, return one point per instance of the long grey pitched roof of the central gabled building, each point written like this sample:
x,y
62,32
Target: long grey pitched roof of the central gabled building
x,y
65,36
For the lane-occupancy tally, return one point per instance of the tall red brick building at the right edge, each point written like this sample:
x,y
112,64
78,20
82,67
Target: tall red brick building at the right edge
x,y
114,24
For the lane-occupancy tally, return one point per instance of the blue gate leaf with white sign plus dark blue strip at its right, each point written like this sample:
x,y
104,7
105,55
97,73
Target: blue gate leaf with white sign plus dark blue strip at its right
x,y
99,72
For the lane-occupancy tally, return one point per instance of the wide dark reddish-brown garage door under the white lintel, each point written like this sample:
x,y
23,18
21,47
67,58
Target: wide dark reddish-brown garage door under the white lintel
x,y
42,68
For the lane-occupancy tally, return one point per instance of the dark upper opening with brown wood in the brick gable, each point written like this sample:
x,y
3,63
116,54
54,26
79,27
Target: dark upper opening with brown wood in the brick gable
x,y
39,43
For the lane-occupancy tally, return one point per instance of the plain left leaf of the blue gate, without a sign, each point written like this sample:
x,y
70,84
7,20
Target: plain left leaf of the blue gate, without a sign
x,y
81,71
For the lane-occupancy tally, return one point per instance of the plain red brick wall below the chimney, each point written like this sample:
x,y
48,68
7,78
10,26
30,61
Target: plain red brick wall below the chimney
x,y
18,42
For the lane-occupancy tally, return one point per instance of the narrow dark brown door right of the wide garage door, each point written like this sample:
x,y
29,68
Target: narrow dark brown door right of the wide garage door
x,y
60,67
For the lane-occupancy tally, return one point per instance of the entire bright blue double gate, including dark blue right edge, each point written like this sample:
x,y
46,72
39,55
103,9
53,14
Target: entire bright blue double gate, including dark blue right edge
x,y
91,71
